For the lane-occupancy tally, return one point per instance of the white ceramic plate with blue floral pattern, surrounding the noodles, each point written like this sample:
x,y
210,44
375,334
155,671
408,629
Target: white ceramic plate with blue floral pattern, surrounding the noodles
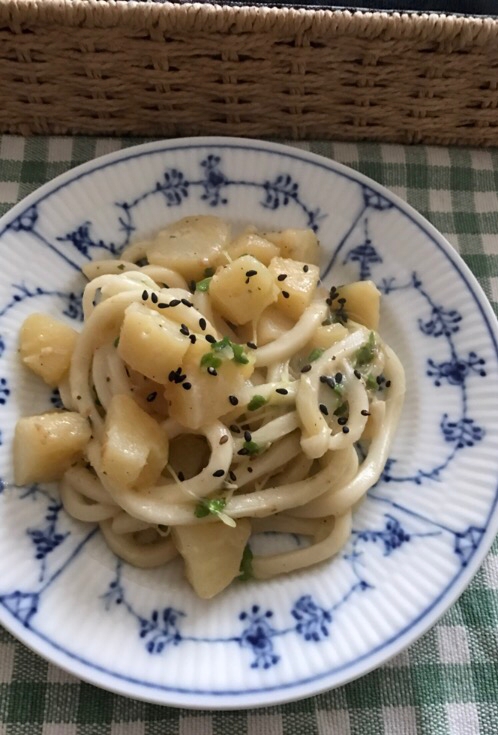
x,y
420,535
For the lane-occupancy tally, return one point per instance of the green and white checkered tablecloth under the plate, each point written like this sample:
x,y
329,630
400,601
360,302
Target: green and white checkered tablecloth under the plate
x,y
447,682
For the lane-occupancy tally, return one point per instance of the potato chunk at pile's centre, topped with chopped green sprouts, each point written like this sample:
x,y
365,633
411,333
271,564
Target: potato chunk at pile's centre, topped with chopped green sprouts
x,y
208,396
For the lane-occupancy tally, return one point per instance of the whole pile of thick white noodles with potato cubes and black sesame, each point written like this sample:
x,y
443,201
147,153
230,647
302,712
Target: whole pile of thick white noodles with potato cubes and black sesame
x,y
216,391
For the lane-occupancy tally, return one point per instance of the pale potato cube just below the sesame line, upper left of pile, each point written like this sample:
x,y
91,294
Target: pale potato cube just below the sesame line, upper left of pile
x,y
150,343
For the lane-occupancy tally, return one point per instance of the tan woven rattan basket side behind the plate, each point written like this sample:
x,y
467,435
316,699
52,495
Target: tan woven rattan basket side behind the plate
x,y
87,66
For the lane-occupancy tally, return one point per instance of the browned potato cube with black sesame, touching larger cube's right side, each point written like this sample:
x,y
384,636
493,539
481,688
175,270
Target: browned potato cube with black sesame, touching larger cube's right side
x,y
298,287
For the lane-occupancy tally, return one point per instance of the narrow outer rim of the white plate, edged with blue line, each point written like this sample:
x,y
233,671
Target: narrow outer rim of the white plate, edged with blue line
x,y
283,693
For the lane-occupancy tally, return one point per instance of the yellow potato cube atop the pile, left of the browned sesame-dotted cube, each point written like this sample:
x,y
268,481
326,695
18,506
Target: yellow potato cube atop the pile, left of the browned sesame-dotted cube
x,y
240,297
